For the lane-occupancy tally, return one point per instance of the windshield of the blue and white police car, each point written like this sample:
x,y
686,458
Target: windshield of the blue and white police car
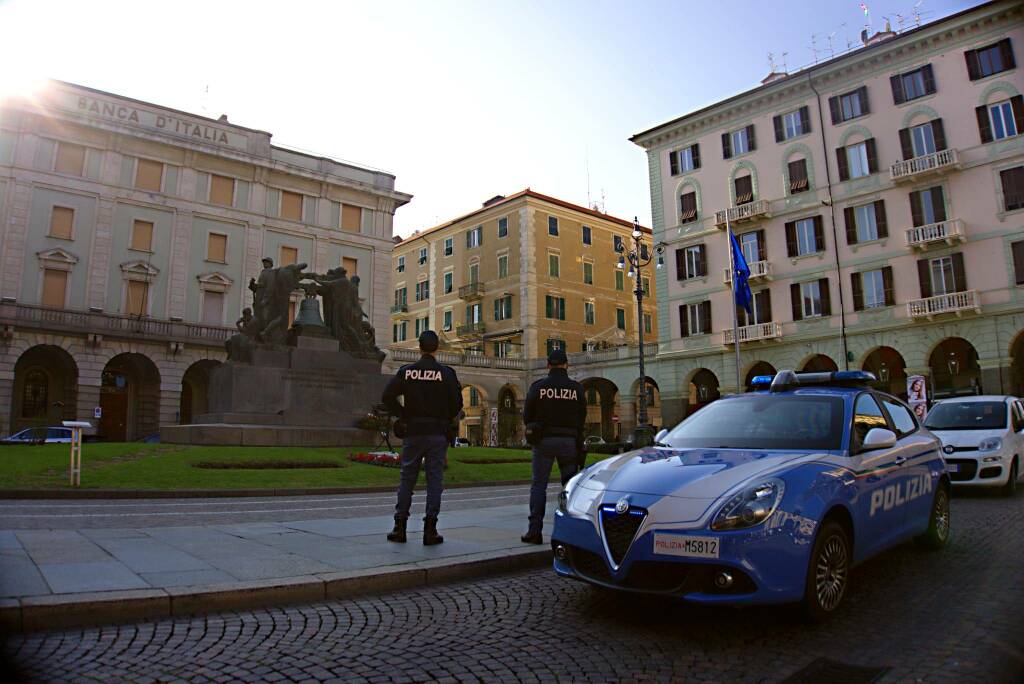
x,y
764,421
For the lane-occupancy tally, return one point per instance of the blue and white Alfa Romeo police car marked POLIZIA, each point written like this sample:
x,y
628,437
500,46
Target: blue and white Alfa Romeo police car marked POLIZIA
x,y
769,497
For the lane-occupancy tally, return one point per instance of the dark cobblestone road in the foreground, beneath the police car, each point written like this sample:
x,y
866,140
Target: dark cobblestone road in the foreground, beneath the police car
x,y
952,617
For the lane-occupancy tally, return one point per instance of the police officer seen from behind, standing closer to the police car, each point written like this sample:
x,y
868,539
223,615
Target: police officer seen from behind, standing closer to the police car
x,y
556,412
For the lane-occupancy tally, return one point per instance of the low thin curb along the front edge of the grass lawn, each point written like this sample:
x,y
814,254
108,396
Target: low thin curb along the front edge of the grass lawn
x,y
219,494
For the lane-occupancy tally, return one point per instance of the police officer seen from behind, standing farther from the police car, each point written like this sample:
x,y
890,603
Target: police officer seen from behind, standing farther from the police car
x,y
433,400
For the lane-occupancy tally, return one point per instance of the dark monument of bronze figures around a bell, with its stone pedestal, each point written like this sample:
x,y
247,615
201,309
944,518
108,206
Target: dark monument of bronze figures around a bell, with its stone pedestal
x,y
307,386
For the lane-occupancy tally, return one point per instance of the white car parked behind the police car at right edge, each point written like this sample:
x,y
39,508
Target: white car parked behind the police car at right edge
x,y
983,440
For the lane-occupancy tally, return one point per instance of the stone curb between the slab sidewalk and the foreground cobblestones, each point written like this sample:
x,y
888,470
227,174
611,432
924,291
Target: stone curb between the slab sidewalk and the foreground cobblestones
x,y
36,614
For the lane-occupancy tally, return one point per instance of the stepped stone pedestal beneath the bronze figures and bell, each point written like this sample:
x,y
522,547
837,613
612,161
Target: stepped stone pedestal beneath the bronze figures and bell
x,y
309,395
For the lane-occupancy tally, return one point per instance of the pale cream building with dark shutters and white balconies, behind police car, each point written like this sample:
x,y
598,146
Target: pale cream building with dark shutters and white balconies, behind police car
x,y
879,198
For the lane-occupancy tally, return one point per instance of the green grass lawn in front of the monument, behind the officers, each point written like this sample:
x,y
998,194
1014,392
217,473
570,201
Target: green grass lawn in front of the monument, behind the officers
x,y
139,466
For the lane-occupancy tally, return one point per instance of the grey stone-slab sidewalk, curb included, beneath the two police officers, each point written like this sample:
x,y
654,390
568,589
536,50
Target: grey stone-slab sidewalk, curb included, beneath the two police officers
x,y
62,578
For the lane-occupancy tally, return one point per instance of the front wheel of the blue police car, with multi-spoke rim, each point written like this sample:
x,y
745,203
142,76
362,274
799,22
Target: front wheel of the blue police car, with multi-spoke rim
x,y
828,573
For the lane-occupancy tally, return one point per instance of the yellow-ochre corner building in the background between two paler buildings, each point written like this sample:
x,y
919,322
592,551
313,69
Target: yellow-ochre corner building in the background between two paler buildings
x,y
519,277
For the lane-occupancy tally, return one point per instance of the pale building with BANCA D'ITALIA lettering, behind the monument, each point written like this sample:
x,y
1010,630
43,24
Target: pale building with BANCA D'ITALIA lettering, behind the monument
x,y
130,235
